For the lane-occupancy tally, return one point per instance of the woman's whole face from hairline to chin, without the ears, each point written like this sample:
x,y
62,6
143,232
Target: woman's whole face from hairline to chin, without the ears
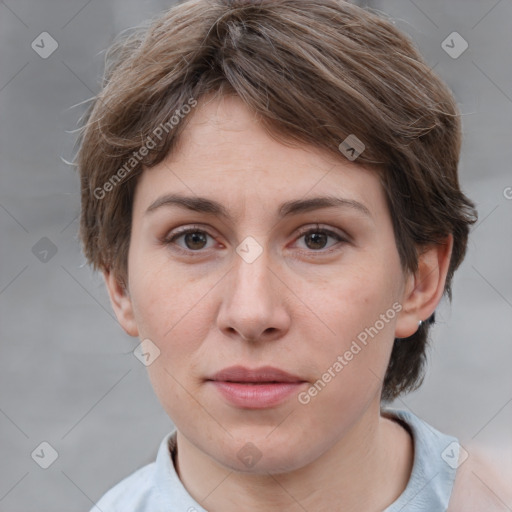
x,y
267,283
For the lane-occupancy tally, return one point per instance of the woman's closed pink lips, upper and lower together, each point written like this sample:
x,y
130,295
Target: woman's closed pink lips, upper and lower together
x,y
258,388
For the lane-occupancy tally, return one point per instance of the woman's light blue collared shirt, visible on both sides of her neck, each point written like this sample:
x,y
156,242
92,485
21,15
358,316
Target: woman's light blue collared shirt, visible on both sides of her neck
x,y
157,488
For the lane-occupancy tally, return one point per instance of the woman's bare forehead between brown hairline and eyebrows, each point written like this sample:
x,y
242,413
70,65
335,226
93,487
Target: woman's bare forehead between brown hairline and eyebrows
x,y
225,153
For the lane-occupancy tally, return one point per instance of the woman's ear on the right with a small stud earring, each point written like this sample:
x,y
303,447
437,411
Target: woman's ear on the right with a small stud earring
x,y
424,288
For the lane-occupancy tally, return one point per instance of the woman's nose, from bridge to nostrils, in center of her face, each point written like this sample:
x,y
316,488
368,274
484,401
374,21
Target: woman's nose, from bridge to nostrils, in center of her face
x,y
254,305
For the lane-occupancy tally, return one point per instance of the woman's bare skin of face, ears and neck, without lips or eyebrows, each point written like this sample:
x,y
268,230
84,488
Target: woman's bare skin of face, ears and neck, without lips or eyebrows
x,y
298,306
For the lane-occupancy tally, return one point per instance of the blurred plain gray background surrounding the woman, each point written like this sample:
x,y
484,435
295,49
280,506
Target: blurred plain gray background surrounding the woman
x,y
67,372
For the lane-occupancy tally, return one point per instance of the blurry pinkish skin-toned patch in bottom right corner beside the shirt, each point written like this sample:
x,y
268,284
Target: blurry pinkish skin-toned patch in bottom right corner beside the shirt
x,y
480,487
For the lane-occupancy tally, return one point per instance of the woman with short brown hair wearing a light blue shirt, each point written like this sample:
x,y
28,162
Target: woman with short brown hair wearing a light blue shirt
x,y
270,190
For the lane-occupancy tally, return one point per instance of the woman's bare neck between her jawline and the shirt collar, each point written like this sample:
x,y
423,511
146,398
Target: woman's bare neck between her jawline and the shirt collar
x,y
366,470
